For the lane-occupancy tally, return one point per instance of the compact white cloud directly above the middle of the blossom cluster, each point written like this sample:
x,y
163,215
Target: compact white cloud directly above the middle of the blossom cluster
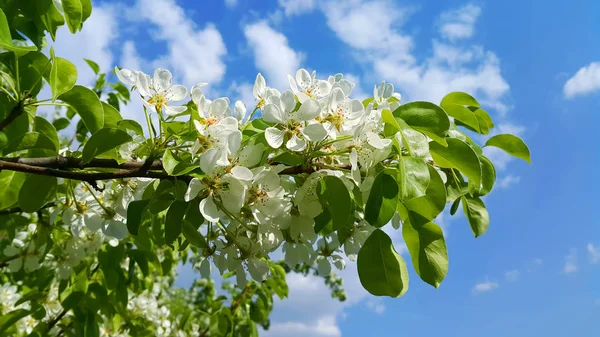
x,y
272,54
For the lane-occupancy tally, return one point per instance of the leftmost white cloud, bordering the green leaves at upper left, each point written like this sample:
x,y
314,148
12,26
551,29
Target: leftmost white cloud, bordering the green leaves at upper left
x,y
93,42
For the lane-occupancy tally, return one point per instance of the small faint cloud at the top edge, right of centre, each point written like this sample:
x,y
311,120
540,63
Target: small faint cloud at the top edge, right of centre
x,y
459,23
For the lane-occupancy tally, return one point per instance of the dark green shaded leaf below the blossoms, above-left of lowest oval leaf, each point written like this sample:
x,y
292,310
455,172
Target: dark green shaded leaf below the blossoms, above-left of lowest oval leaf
x,y
334,196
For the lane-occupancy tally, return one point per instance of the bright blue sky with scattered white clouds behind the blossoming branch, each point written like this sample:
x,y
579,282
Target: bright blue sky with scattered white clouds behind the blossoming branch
x,y
537,269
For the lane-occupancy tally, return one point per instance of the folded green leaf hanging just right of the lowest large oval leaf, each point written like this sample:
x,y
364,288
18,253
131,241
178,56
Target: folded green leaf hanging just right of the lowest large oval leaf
x,y
427,247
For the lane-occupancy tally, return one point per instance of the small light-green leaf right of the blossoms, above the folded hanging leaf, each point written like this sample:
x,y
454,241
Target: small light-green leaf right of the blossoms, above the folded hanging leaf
x,y
413,177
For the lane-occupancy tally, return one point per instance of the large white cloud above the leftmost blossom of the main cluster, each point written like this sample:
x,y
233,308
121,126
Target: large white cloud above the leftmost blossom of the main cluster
x,y
193,54
